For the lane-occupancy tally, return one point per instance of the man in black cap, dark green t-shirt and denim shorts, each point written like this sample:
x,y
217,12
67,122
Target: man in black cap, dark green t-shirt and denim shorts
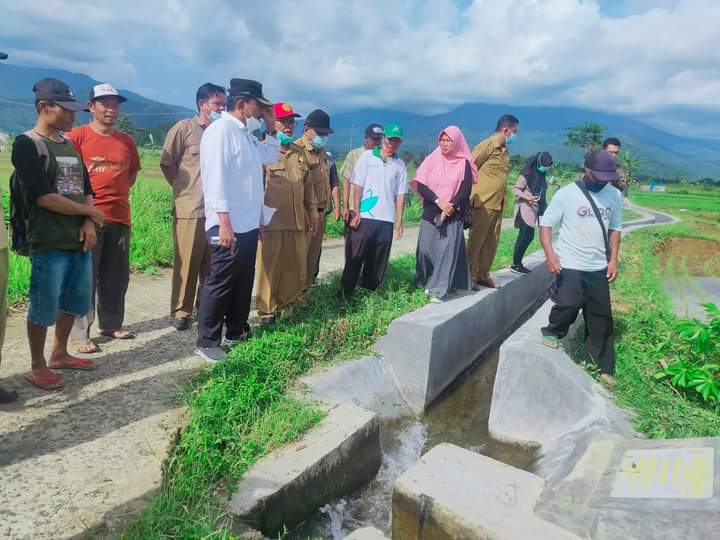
x,y
61,230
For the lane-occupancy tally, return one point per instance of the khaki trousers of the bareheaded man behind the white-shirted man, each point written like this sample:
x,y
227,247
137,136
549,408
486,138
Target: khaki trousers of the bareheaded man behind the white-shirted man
x,y
191,264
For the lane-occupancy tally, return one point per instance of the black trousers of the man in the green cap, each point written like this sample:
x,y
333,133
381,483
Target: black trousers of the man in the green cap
x,y
367,251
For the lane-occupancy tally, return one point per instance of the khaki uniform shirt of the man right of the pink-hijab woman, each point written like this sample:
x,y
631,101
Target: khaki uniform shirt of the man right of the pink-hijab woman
x,y
493,163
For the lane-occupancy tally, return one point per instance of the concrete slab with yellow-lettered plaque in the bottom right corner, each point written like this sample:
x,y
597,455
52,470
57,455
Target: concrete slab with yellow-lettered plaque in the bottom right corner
x,y
644,489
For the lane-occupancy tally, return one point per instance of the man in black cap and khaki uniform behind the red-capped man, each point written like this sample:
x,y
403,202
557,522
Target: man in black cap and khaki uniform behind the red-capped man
x,y
314,139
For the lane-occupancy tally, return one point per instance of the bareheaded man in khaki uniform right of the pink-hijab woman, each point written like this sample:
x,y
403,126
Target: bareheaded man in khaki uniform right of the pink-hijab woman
x,y
488,199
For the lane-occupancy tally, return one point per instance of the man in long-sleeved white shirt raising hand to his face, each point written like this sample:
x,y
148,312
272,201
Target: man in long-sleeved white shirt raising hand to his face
x,y
231,169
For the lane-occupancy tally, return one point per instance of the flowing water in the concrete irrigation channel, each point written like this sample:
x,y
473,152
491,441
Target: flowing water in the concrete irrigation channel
x,y
460,417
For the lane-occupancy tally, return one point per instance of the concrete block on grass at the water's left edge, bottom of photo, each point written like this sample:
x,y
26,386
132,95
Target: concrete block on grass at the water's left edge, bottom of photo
x,y
339,456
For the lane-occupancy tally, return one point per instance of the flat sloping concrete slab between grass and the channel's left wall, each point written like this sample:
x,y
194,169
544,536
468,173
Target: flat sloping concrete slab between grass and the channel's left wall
x,y
364,383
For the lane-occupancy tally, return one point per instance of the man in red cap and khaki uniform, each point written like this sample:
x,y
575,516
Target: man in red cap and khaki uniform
x,y
282,252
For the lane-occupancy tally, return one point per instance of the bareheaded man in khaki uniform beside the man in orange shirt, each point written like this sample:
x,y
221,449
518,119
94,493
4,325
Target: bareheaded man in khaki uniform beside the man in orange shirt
x,y
180,163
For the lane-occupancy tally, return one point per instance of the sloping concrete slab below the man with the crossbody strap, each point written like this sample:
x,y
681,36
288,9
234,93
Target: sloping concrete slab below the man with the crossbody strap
x,y
541,395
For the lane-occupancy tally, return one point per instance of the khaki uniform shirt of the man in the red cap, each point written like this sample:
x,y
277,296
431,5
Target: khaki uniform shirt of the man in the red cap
x,y
289,189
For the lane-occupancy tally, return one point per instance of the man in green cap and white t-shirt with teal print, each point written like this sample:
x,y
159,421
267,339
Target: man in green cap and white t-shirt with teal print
x,y
379,184
